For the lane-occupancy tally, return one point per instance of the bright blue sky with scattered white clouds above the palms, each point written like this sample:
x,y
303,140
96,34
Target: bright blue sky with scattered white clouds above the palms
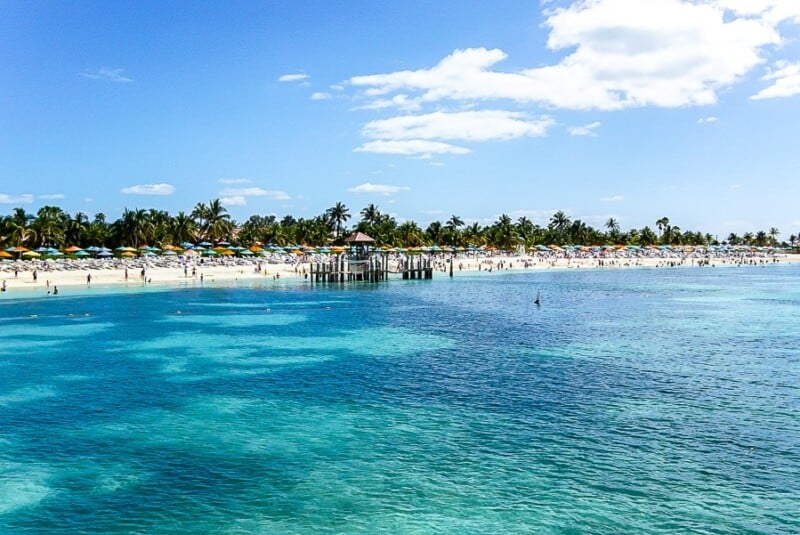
x,y
631,109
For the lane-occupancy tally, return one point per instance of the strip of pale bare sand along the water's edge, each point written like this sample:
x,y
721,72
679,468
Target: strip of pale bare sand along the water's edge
x,y
129,273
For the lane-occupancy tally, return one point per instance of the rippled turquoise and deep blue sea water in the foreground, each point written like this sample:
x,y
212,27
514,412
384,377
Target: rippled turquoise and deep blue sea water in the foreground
x,y
648,401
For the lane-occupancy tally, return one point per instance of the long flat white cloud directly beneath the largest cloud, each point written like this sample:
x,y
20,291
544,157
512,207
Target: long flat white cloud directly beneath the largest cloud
x,y
466,126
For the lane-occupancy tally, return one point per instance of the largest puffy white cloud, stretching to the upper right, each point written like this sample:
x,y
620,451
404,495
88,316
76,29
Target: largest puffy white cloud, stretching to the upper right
x,y
619,54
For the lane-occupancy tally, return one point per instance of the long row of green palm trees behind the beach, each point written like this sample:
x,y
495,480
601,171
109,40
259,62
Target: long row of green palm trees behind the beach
x,y
52,226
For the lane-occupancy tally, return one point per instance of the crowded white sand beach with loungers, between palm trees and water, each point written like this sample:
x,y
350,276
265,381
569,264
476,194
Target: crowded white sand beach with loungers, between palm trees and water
x,y
19,274
